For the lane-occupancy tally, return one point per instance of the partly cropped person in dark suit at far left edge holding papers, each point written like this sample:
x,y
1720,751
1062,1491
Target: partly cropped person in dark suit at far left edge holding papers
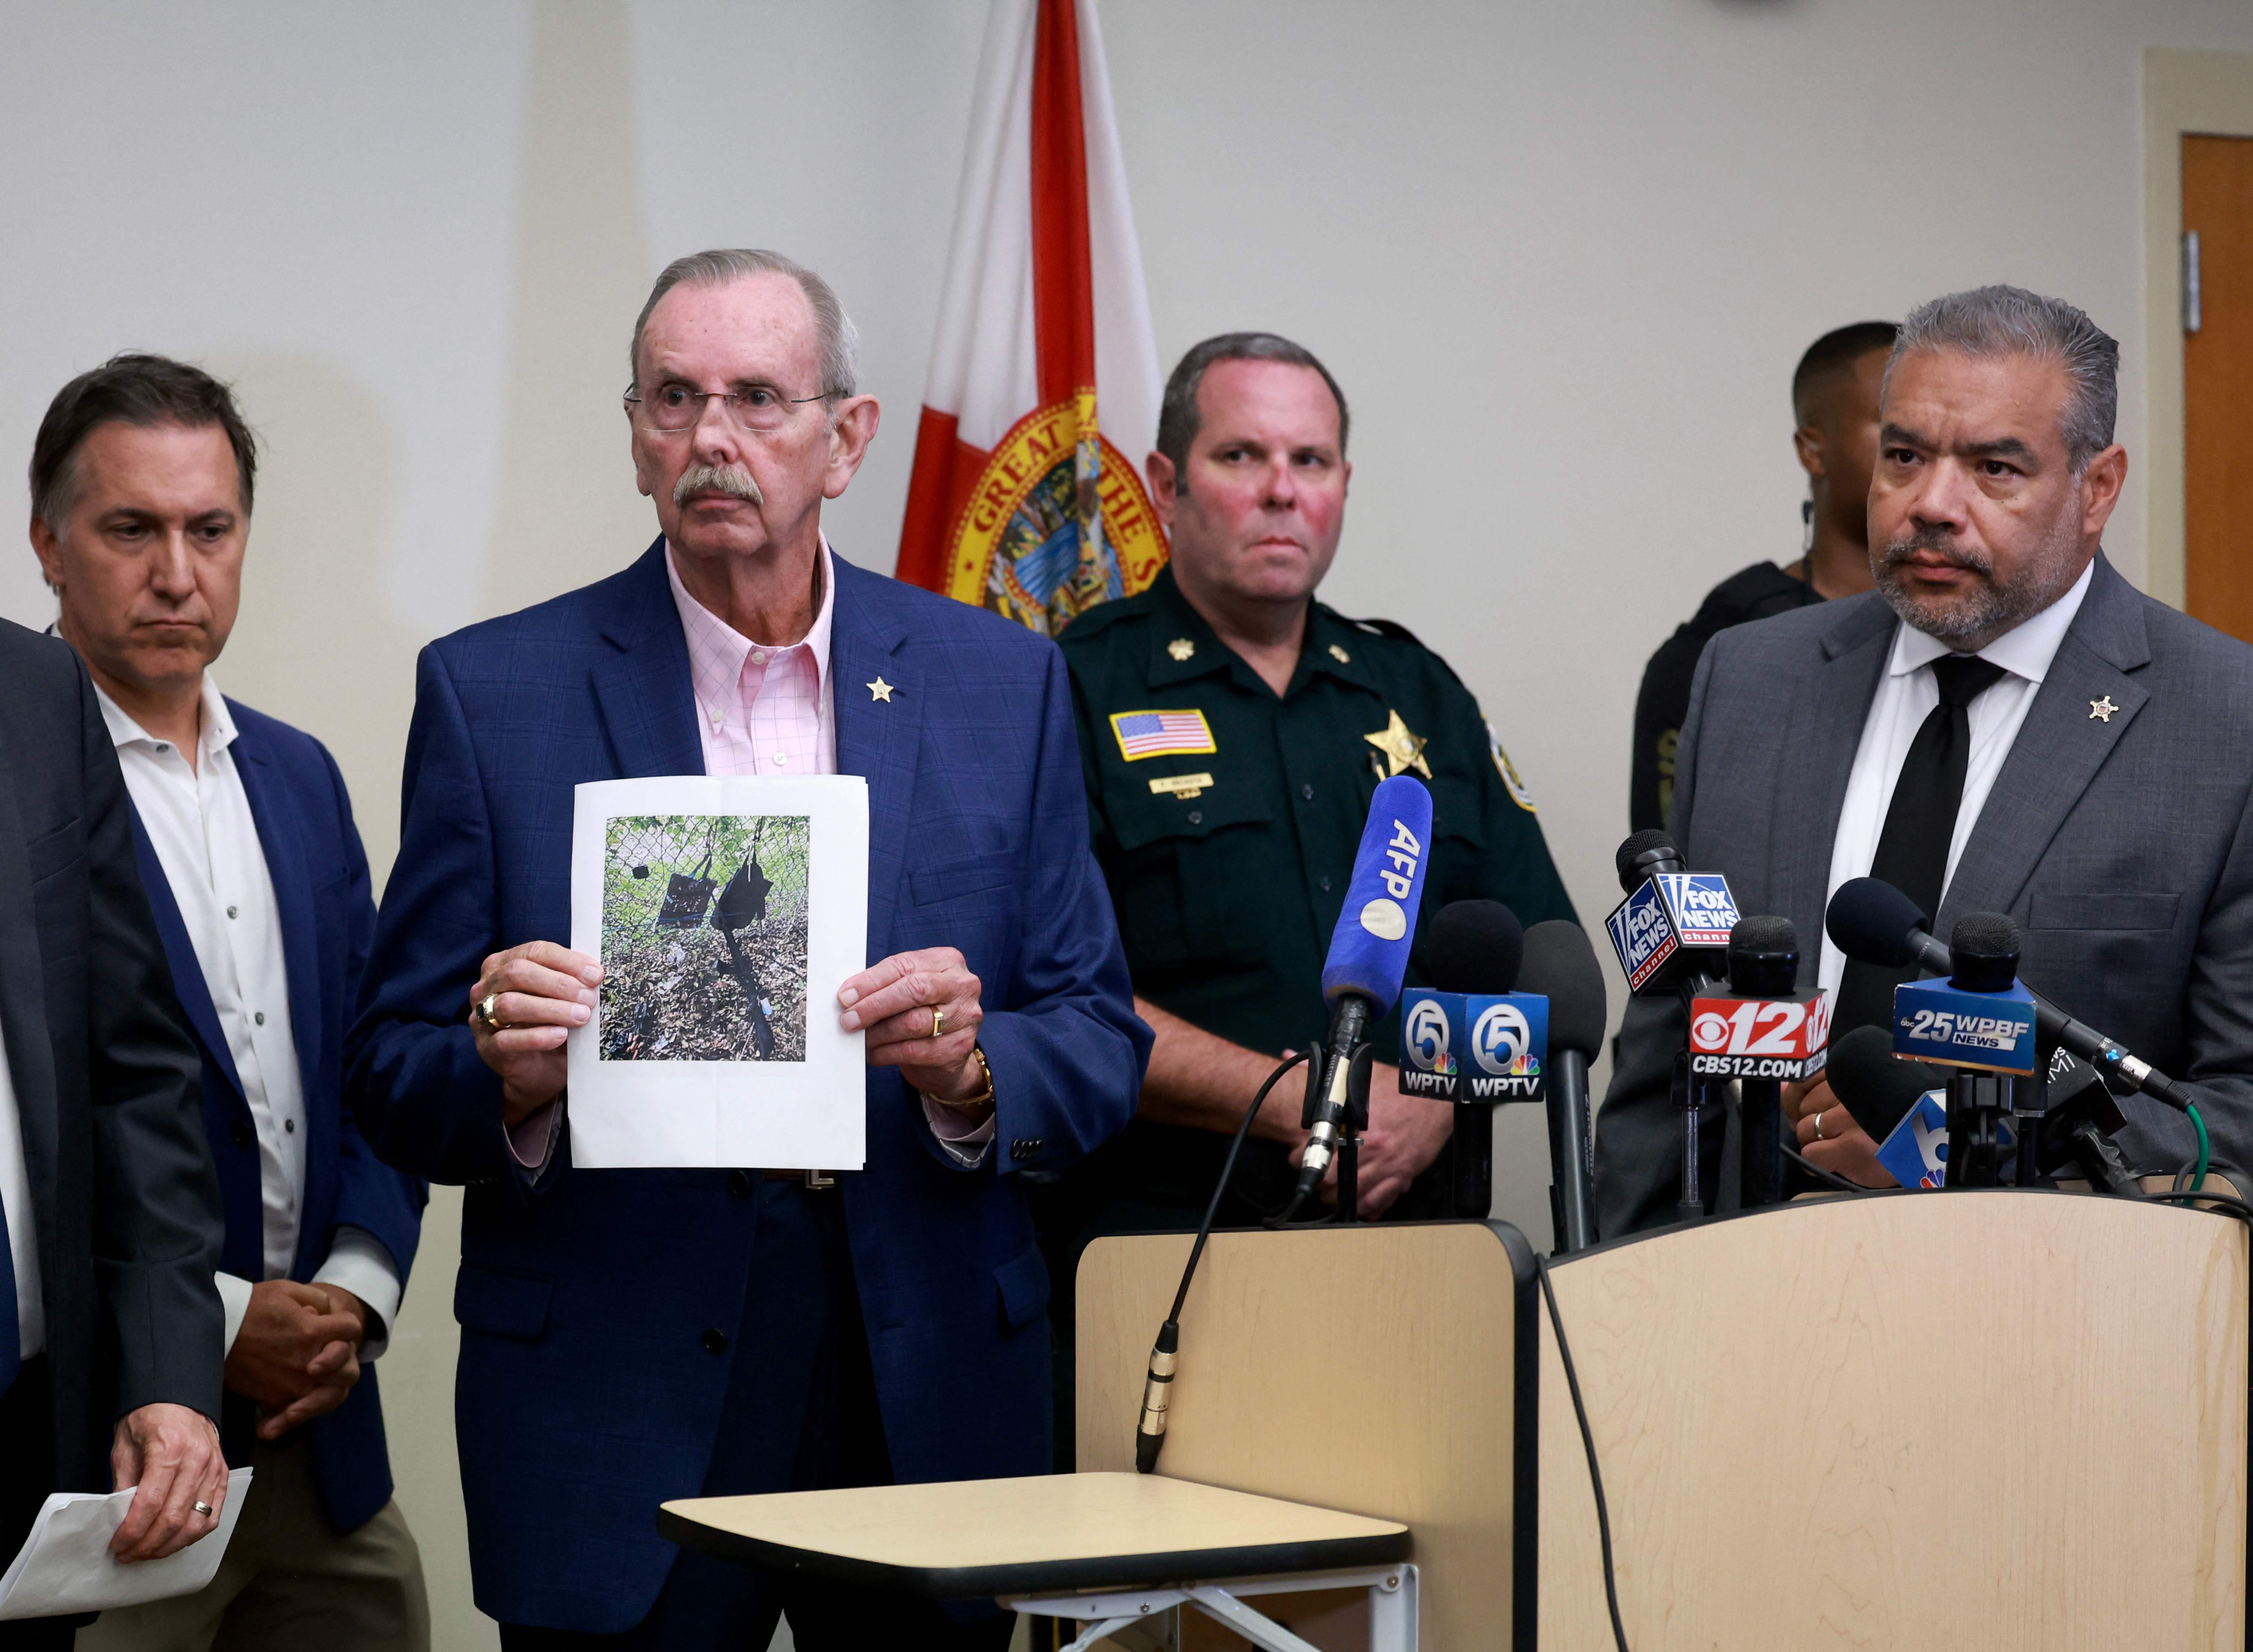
x,y
109,1211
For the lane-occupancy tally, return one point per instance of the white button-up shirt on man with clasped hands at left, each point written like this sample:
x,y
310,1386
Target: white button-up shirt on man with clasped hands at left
x,y
208,844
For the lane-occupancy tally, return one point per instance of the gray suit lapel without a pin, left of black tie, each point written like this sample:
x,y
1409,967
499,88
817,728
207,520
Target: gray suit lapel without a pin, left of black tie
x,y
1819,761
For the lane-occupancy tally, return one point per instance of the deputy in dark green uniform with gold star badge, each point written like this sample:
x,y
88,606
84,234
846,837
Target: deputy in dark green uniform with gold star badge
x,y
1234,731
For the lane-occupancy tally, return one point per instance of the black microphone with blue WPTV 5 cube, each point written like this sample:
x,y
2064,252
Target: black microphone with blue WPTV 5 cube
x,y
1475,952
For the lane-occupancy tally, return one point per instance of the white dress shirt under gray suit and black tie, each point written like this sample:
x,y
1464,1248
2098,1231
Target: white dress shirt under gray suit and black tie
x,y
1905,700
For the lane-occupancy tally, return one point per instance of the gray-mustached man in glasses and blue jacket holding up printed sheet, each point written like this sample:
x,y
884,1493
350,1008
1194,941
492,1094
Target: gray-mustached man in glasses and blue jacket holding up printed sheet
x,y
639,1335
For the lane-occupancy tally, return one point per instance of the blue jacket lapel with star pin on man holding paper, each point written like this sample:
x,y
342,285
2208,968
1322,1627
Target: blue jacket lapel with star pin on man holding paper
x,y
878,740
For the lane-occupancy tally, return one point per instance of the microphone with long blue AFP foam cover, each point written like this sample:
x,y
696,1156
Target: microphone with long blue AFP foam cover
x,y
1369,954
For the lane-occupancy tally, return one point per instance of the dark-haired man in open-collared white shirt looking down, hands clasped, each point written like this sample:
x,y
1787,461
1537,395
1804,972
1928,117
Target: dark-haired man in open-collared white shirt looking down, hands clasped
x,y
141,492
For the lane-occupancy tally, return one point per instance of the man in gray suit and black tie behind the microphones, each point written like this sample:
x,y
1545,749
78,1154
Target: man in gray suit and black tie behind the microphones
x,y
2002,727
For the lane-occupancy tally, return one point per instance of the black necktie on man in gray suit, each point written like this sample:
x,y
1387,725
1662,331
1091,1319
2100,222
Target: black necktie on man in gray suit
x,y
1921,824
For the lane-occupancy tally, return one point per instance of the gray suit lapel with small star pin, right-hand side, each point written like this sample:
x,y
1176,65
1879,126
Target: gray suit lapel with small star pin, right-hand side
x,y
2058,749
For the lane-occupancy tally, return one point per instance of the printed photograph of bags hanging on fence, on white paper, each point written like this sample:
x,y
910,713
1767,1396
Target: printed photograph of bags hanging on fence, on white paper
x,y
704,939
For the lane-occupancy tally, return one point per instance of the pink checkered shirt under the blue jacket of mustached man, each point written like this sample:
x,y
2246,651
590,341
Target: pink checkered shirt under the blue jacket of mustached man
x,y
760,711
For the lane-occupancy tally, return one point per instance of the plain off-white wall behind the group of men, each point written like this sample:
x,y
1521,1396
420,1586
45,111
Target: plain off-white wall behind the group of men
x,y
1562,260
